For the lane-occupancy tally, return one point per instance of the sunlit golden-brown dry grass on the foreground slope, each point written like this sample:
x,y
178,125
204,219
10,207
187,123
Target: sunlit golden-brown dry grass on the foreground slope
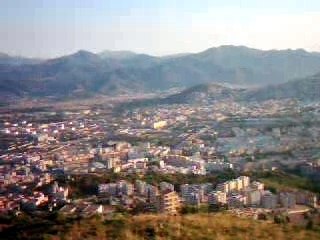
x,y
200,226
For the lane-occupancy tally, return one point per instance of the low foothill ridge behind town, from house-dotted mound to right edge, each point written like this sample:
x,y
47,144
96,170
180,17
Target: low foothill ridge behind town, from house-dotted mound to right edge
x,y
306,89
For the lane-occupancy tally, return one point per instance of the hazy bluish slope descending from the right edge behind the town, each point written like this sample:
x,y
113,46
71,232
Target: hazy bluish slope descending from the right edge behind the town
x,y
306,89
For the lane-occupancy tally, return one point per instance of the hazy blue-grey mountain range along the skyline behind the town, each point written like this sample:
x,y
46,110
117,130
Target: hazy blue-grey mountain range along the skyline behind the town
x,y
84,74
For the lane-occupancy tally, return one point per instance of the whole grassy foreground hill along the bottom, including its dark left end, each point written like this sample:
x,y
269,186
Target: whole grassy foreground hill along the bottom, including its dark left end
x,y
196,226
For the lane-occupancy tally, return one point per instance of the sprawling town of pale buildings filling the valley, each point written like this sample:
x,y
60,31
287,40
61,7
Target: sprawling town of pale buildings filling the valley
x,y
45,152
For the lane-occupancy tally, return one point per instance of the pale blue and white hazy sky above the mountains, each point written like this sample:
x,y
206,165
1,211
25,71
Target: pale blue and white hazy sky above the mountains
x,y
51,28
